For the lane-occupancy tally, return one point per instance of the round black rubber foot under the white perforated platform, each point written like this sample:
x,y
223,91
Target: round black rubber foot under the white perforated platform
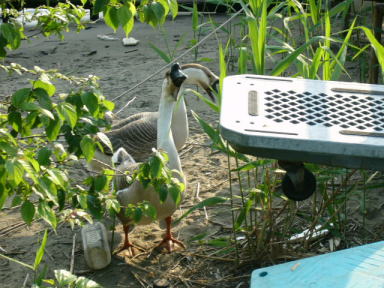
x,y
309,187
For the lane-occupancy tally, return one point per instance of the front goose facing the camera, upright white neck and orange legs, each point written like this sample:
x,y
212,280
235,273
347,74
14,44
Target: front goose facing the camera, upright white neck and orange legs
x,y
136,193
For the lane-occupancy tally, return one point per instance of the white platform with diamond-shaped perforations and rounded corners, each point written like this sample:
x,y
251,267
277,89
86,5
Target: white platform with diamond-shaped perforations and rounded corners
x,y
325,122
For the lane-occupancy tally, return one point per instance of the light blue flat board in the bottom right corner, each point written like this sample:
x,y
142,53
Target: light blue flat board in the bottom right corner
x,y
358,267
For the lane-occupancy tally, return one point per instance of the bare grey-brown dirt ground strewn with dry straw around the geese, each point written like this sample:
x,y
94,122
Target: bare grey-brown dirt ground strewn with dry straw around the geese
x,y
119,68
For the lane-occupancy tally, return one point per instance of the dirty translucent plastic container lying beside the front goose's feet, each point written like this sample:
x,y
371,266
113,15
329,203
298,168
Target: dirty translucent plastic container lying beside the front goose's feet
x,y
95,244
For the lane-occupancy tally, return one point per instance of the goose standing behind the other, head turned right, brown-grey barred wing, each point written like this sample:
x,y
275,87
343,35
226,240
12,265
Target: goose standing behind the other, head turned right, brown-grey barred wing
x,y
137,134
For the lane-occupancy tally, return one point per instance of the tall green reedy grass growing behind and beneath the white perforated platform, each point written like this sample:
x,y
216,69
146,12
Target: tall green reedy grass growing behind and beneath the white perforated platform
x,y
301,39
